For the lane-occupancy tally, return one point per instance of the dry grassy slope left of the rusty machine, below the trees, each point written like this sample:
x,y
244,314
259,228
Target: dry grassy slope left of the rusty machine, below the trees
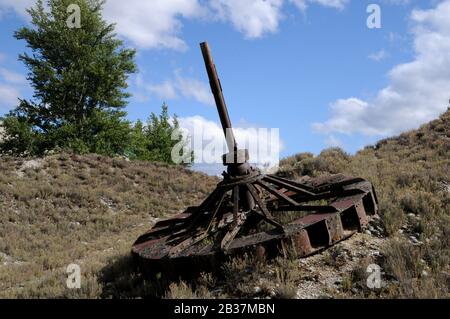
x,y
86,210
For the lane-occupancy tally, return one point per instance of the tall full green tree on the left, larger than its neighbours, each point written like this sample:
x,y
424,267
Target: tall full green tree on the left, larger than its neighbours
x,y
79,77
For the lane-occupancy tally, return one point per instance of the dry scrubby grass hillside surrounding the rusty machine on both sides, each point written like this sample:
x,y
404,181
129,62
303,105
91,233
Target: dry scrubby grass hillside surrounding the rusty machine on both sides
x,y
88,210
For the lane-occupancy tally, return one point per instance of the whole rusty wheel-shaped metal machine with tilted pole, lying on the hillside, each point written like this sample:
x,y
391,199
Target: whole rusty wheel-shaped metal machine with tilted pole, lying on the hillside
x,y
250,212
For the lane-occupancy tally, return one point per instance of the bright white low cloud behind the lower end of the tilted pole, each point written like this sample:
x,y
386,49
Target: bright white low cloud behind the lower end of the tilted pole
x,y
208,142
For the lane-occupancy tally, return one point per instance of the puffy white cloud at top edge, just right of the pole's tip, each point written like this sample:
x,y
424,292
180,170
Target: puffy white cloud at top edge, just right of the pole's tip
x,y
253,18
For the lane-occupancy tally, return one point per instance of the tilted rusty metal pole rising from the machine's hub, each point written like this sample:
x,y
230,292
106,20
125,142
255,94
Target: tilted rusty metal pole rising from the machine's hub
x,y
216,89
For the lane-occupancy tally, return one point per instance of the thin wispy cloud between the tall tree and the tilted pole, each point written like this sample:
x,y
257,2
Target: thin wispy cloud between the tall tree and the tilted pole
x,y
179,86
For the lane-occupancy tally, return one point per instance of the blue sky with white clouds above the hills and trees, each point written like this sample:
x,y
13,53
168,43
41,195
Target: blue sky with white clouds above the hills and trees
x,y
311,68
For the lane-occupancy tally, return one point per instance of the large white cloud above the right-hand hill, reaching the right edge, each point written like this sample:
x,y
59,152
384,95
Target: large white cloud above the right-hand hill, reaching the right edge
x,y
418,91
